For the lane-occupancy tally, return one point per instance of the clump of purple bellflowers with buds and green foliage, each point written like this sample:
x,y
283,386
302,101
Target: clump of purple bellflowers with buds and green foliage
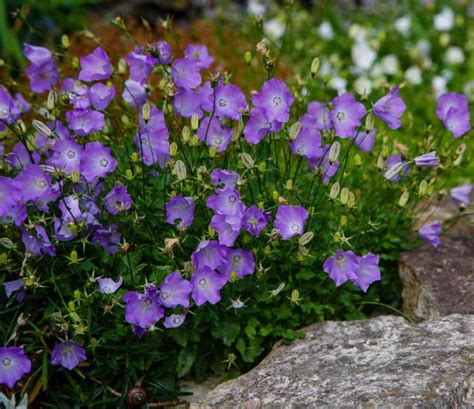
x,y
181,191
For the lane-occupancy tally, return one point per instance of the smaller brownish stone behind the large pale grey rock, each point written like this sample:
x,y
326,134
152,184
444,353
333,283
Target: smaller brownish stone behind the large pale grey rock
x,y
440,281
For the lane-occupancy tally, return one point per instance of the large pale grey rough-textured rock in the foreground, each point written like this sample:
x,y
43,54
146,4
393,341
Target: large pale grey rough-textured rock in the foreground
x,y
384,362
